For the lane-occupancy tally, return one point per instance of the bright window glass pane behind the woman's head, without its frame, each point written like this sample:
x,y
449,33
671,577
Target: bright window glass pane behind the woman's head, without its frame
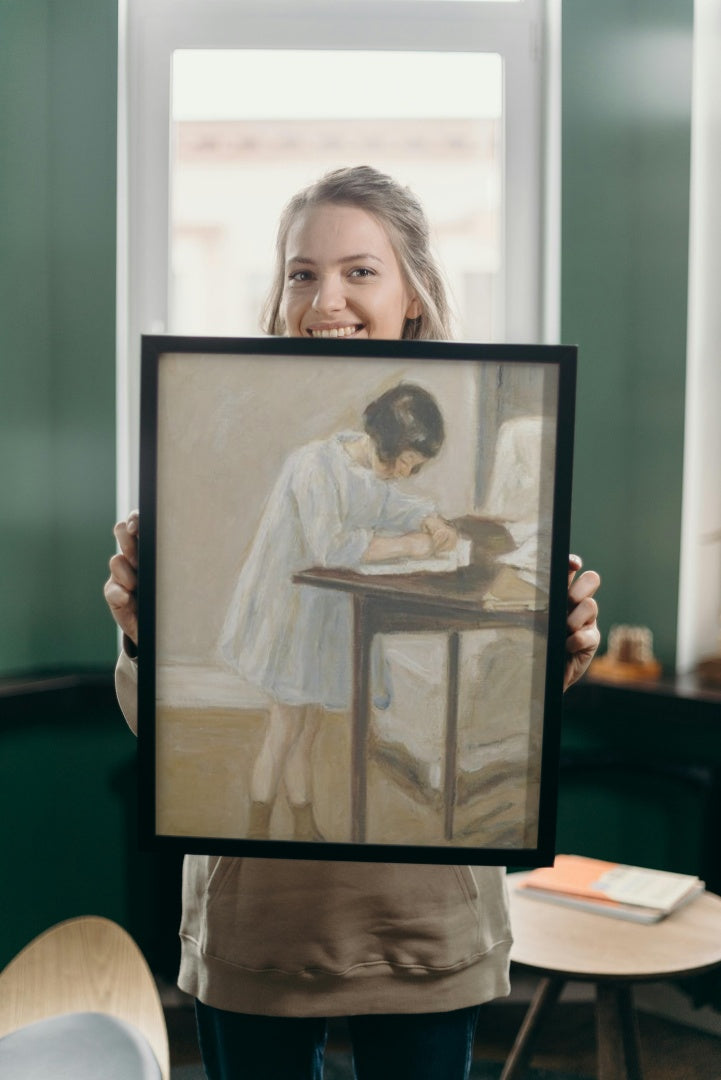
x,y
251,128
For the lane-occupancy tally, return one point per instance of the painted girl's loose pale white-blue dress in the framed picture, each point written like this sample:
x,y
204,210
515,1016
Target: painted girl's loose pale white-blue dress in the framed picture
x,y
295,641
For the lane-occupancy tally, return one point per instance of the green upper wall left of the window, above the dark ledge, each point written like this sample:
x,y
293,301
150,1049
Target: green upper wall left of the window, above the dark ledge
x,y
58,307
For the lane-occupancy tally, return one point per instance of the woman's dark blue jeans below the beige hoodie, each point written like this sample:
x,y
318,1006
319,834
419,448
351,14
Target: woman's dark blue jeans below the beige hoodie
x,y
402,1047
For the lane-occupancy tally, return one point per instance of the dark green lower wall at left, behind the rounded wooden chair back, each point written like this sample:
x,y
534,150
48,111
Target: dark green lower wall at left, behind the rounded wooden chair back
x,y
69,803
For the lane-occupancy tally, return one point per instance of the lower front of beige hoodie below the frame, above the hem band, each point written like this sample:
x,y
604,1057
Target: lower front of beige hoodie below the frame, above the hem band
x,y
296,916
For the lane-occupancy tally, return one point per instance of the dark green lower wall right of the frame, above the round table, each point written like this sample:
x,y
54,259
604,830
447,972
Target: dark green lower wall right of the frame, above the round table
x,y
642,778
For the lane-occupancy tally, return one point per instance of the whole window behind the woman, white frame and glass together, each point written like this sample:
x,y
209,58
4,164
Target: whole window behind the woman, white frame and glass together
x,y
447,96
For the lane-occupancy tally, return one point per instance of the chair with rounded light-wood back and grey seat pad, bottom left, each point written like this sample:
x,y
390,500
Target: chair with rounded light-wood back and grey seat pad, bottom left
x,y
80,1003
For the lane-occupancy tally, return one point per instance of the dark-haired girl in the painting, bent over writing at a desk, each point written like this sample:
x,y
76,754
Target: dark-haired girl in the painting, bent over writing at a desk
x,y
335,504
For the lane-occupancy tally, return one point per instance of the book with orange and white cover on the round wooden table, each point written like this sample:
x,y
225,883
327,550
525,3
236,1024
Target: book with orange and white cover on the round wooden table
x,y
616,889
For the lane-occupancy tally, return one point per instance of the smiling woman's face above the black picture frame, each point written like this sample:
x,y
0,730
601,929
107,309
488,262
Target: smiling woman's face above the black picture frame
x,y
343,278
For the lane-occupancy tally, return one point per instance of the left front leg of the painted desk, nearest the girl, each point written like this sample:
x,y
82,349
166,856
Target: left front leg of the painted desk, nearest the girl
x,y
362,643
